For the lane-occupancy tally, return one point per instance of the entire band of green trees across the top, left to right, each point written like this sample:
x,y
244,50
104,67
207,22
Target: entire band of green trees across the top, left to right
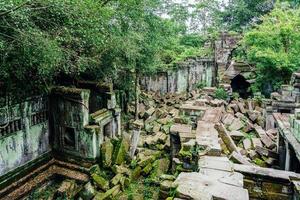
x,y
46,42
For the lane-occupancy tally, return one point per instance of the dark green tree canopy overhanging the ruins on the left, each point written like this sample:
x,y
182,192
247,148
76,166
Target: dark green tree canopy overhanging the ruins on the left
x,y
46,41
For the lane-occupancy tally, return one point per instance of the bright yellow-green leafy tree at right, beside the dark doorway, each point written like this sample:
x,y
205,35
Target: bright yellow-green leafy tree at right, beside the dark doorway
x,y
274,47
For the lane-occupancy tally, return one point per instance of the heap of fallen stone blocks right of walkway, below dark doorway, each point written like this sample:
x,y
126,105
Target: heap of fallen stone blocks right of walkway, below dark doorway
x,y
243,122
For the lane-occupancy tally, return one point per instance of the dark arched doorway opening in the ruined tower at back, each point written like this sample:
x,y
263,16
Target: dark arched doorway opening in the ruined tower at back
x,y
241,86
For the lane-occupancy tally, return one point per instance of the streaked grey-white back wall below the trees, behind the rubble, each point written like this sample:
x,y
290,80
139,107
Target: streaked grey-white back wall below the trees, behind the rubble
x,y
185,78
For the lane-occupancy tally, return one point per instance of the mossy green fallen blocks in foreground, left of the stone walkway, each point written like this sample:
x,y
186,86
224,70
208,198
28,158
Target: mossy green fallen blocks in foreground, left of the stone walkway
x,y
113,174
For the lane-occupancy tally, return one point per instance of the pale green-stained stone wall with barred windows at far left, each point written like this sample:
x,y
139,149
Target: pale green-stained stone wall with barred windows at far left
x,y
24,133
